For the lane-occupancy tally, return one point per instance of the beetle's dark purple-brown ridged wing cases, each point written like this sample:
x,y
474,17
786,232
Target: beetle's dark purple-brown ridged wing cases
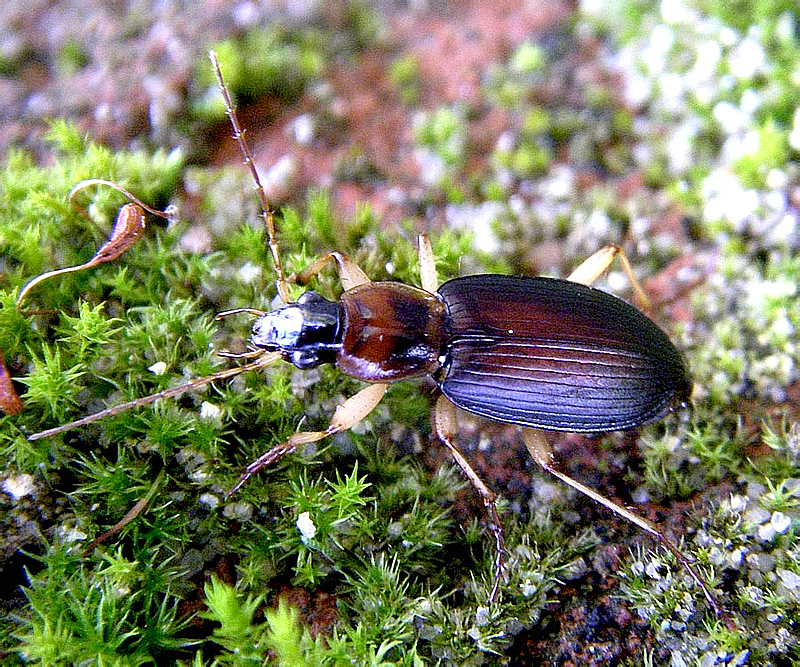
x,y
557,355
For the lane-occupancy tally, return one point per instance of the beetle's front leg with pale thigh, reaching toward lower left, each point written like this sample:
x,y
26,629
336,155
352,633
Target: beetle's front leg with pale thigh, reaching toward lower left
x,y
349,413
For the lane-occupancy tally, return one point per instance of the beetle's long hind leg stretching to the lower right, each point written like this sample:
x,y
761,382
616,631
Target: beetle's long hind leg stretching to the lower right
x,y
540,450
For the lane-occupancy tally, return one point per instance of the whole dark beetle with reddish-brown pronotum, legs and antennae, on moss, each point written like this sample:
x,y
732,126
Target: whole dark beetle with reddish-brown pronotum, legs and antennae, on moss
x,y
541,353
